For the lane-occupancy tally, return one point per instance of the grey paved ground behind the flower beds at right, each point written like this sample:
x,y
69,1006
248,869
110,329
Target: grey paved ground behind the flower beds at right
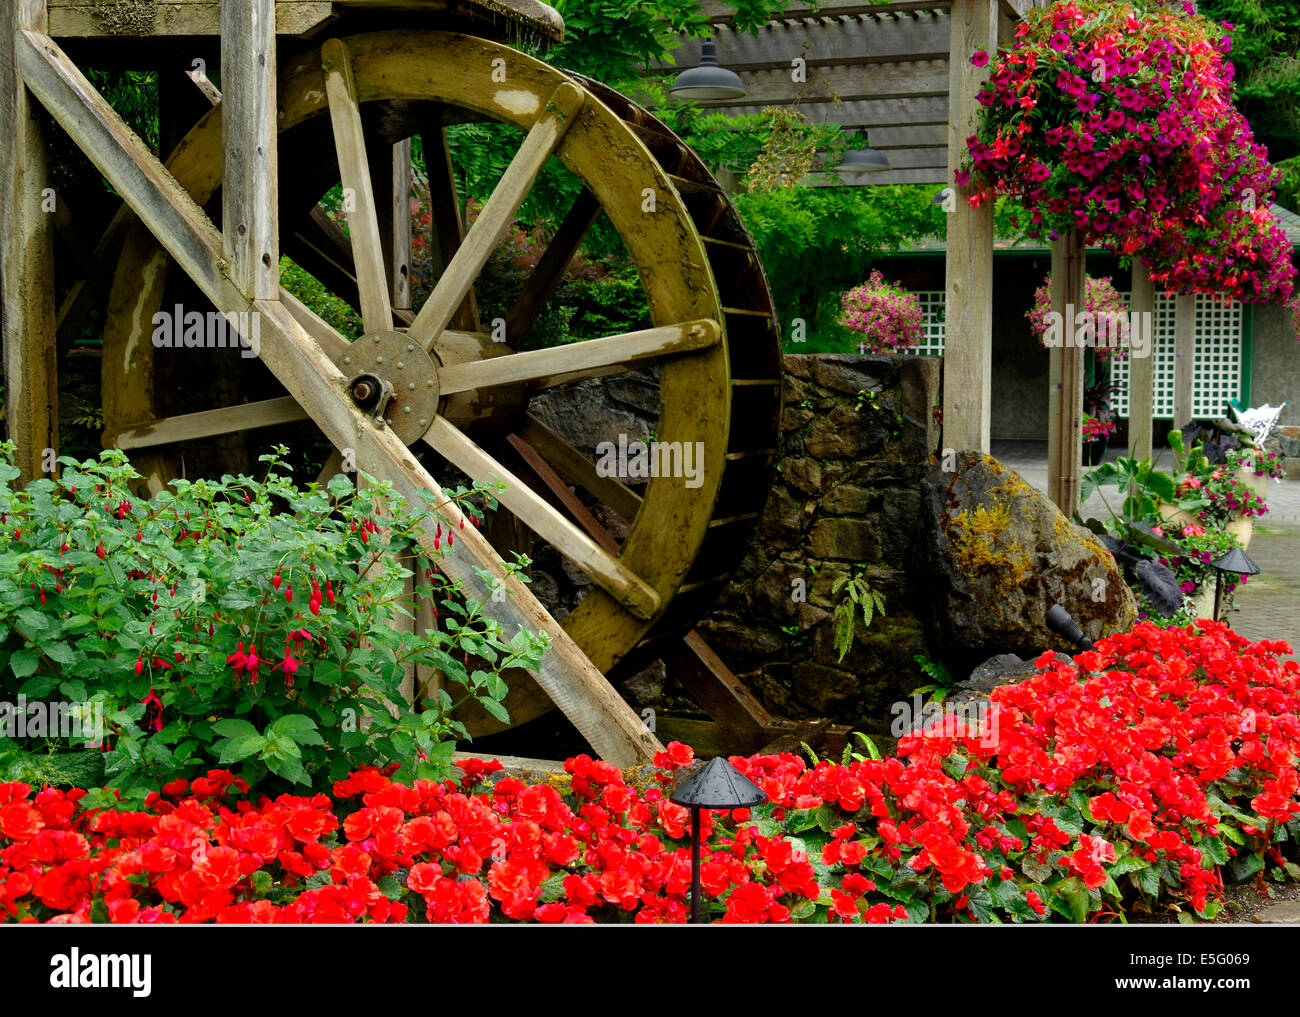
x,y
1269,605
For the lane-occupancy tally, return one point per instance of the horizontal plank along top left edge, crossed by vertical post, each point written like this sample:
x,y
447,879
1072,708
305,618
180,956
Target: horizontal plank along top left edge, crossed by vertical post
x,y
79,19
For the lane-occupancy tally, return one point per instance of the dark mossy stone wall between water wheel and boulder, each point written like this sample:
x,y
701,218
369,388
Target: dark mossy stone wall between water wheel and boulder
x,y
859,432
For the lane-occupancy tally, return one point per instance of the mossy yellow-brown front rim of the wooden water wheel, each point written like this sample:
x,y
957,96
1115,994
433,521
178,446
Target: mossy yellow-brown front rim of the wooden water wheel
x,y
617,167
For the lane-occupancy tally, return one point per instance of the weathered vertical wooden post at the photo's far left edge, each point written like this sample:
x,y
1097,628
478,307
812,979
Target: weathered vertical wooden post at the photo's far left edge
x,y
31,376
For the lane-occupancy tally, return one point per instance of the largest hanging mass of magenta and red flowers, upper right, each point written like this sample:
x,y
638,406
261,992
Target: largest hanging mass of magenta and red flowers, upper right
x,y
1116,120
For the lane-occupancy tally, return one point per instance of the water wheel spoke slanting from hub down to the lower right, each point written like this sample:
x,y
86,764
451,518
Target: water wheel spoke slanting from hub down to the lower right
x,y
545,521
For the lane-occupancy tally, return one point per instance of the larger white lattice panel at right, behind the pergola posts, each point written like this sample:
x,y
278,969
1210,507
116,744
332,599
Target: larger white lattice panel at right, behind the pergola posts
x,y
1216,365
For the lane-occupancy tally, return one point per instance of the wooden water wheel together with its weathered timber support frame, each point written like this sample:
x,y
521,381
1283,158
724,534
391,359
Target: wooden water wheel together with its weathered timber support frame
x,y
716,341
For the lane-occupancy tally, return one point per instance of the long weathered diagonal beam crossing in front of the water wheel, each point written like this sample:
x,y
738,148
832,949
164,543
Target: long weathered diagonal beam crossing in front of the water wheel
x,y
306,371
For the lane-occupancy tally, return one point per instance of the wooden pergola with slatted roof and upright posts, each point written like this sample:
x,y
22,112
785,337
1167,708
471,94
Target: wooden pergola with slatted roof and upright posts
x,y
902,72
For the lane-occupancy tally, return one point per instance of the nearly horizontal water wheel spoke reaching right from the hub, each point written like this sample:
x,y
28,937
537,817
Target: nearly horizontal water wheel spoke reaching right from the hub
x,y
579,360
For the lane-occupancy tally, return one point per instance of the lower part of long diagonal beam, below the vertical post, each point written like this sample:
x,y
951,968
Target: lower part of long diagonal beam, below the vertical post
x,y
566,676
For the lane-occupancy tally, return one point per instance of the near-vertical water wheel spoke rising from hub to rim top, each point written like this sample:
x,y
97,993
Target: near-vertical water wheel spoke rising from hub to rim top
x,y
358,191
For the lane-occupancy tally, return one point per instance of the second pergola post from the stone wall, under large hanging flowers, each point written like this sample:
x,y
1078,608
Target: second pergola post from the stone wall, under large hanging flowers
x,y
1065,397
